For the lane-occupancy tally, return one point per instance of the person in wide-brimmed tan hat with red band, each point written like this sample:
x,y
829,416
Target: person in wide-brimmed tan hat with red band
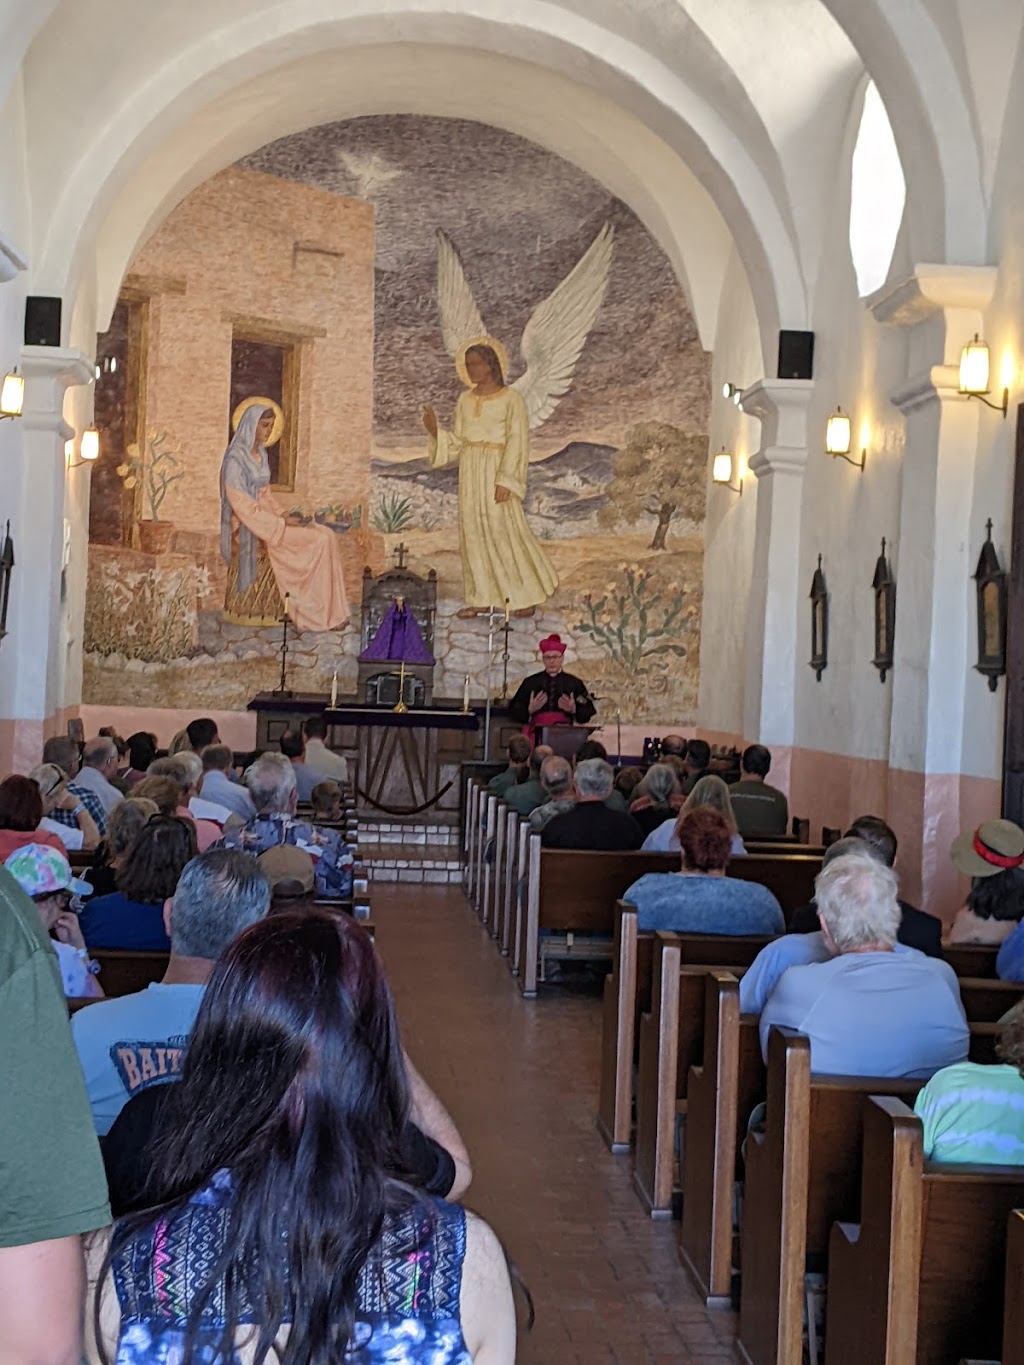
x,y
992,857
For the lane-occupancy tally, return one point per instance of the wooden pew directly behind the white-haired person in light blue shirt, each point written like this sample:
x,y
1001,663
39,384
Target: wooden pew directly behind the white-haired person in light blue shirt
x,y
802,1175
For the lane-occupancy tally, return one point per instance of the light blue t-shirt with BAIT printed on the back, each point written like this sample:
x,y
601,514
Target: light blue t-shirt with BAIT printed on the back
x,y
132,1044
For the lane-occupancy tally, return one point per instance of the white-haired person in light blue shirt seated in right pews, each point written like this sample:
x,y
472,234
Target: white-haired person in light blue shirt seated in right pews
x,y
869,1011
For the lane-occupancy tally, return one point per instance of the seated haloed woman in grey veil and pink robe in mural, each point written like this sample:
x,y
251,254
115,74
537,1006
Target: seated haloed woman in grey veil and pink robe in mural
x,y
270,552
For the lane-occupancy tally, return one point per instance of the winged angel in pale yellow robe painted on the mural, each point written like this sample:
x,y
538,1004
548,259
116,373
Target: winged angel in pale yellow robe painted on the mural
x,y
503,560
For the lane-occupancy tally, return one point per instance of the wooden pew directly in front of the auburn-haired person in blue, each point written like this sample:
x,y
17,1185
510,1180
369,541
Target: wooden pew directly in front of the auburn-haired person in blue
x,y
570,892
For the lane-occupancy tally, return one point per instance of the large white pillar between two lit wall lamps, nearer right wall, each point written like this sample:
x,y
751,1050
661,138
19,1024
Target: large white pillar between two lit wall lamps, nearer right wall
x,y
941,306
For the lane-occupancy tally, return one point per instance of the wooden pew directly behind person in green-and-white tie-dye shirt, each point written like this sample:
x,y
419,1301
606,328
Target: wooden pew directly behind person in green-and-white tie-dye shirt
x,y
920,1280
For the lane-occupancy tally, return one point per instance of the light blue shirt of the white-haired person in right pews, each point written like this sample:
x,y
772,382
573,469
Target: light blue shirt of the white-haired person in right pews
x,y
873,1014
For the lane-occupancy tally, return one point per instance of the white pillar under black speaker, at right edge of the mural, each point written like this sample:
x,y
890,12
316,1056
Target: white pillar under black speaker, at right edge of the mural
x,y
772,624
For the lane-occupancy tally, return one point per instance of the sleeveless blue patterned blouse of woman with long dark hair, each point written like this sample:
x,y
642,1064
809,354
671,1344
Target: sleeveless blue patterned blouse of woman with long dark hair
x,y
409,1303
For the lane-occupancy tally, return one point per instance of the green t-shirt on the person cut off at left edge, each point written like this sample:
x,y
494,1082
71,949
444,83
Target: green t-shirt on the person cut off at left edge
x,y
51,1173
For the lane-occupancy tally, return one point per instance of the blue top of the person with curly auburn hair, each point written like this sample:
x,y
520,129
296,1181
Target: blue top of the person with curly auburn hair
x,y
704,904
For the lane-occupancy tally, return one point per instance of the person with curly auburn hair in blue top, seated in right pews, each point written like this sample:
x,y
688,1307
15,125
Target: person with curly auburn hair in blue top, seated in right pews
x,y
701,899
